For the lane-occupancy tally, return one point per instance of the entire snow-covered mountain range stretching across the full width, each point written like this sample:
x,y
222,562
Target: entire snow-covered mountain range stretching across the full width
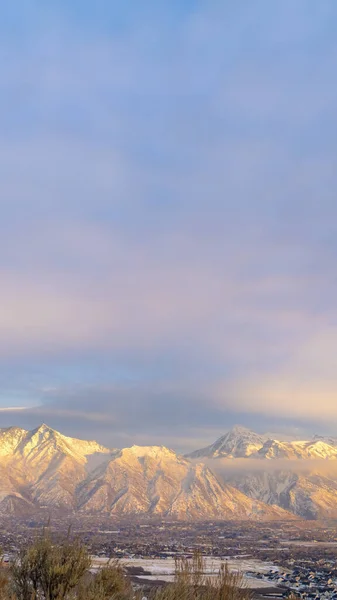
x,y
43,469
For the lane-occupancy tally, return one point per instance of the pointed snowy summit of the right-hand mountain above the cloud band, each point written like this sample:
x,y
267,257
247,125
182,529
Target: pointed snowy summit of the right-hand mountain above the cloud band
x,y
239,442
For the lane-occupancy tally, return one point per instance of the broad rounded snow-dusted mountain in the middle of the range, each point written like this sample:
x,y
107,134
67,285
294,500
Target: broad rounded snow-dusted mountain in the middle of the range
x,y
153,481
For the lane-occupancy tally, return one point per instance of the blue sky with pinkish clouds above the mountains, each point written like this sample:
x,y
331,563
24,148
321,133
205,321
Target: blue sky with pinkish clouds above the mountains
x,y
168,231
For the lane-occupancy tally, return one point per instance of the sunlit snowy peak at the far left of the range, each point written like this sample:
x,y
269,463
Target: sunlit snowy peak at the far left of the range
x,y
43,467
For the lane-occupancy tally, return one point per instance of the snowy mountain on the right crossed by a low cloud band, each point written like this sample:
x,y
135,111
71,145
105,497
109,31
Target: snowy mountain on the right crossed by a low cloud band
x,y
298,476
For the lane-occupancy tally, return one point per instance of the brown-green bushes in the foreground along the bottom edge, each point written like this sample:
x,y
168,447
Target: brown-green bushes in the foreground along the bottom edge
x,y
48,571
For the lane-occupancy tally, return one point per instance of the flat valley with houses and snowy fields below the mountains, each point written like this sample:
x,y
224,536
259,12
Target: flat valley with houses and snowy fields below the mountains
x,y
274,558
